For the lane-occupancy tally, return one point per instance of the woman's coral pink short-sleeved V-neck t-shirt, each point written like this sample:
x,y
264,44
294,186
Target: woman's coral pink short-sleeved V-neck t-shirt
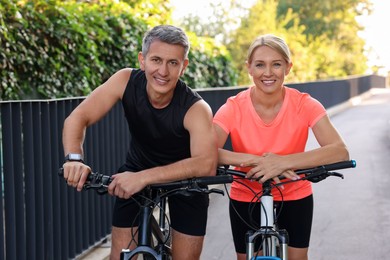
x,y
286,134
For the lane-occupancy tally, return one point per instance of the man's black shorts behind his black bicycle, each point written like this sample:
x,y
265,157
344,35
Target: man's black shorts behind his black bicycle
x,y
188,214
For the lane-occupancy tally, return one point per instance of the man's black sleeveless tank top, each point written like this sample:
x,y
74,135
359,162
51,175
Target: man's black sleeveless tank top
x,y
158,136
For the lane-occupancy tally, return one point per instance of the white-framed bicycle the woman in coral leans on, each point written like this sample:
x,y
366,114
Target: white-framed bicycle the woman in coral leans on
x,y
275,240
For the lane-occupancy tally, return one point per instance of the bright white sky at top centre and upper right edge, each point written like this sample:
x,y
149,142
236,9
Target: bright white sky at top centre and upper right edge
x,y
375,33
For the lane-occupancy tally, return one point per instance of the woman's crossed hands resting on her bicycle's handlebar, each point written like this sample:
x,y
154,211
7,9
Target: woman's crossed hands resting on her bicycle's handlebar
x,y
268,166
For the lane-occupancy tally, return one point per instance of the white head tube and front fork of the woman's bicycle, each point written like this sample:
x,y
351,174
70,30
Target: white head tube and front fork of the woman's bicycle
x,y
269,234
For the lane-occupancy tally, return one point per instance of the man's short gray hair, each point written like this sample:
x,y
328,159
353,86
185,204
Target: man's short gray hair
x,y
166,33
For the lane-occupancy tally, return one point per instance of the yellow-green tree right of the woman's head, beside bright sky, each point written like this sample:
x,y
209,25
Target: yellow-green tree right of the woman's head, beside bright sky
x,y
332,24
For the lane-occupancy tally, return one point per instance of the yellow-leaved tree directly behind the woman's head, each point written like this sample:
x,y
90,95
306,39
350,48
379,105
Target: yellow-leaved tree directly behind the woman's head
x,y
262,19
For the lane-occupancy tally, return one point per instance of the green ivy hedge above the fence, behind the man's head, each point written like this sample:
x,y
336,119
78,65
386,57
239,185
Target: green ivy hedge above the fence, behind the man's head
x,y
53,49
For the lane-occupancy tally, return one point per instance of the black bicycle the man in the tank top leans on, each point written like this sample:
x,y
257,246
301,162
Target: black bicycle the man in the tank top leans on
x,y
154,240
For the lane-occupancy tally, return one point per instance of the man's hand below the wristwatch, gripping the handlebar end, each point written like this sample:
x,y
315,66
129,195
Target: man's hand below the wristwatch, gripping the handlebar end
x,y
76,173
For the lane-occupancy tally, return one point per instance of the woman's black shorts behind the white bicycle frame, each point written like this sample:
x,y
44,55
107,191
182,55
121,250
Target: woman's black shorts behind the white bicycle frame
x,y
295,216
